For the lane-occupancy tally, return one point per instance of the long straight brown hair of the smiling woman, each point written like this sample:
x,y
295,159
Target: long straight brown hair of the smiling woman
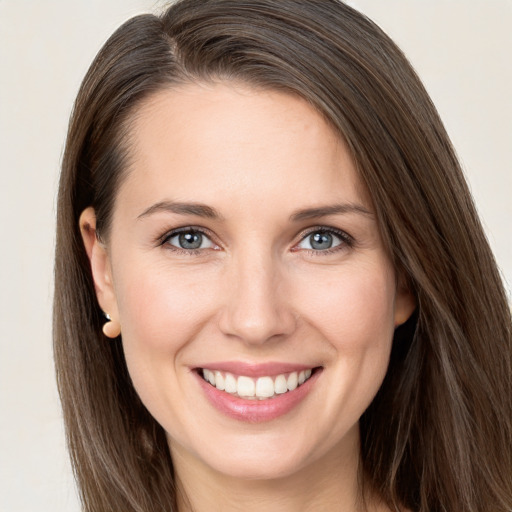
x,y
438,435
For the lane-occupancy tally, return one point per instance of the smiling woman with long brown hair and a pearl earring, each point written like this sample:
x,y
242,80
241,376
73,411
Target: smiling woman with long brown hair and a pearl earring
x,y
303,312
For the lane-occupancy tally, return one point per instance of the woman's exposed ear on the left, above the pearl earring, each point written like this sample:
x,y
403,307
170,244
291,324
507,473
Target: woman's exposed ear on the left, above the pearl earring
x,y
100,263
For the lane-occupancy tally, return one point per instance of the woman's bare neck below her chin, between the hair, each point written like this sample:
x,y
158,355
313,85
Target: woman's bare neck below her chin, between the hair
x,y
330,483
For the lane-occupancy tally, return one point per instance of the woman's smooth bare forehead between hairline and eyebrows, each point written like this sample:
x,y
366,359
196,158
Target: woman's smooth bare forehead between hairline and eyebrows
x,y
228,141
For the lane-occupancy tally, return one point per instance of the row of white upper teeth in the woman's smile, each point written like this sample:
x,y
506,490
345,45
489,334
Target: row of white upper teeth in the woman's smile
x,y
261,388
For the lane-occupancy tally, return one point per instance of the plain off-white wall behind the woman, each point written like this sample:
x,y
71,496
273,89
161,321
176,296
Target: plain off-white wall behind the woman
x,y
460,48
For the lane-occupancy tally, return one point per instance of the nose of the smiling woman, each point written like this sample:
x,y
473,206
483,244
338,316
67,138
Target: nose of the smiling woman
x,y
257,307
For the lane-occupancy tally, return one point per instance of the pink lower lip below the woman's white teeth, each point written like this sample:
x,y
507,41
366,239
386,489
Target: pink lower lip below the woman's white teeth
x,y
256,411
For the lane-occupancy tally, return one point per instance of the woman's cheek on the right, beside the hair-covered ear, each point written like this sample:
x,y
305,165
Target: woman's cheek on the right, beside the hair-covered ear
x,y
354,316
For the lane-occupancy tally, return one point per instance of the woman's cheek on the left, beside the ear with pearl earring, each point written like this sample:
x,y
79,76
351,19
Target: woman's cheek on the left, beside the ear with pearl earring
x,y
160,315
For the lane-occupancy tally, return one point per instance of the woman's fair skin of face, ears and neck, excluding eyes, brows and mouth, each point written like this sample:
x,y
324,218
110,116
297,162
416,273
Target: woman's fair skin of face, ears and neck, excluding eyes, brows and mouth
x,y
257,291
